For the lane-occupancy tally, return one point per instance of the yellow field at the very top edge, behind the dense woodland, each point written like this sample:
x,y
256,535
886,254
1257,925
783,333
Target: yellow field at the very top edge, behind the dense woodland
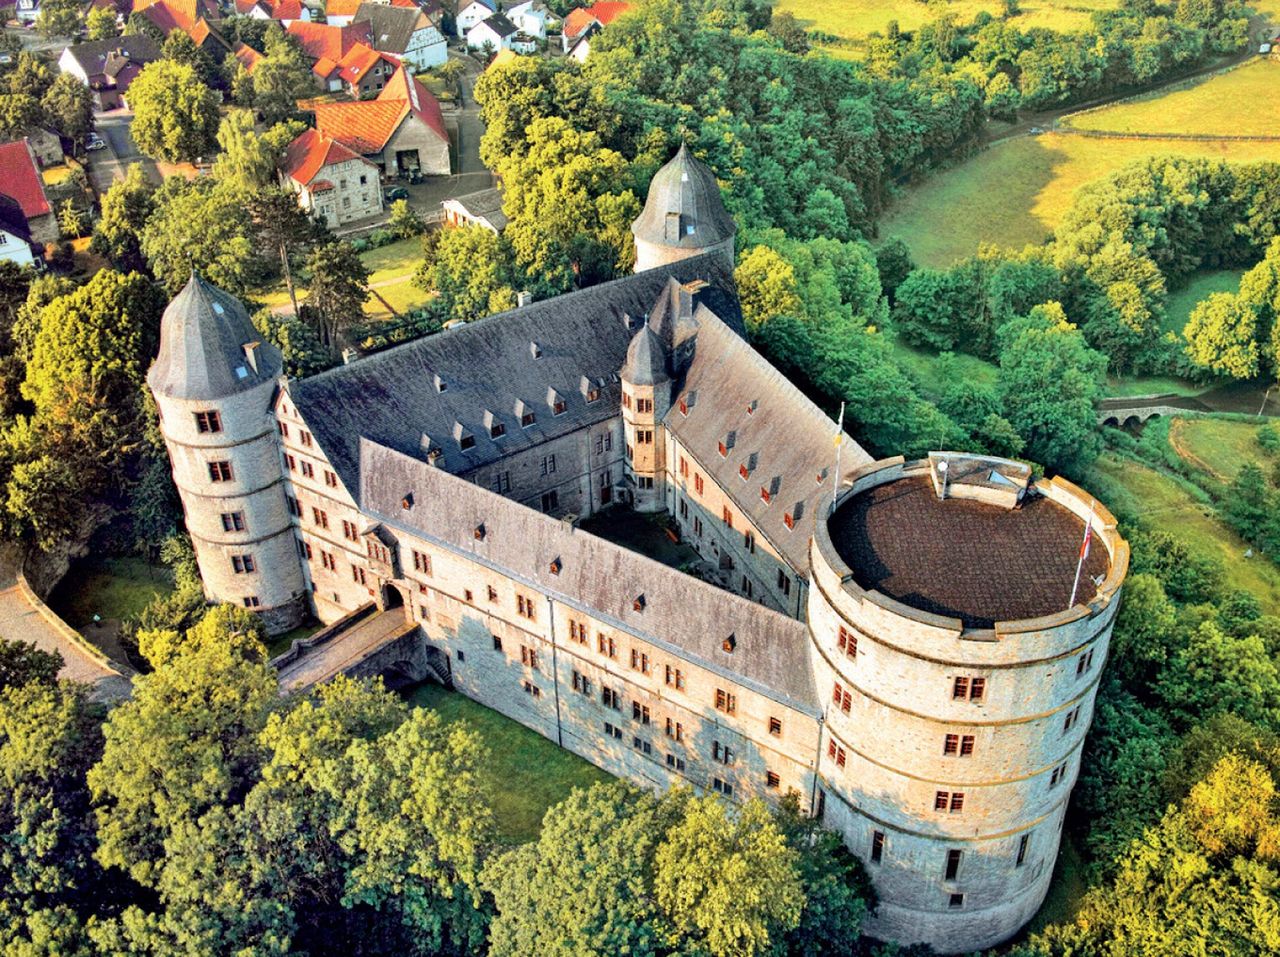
x,y
854,20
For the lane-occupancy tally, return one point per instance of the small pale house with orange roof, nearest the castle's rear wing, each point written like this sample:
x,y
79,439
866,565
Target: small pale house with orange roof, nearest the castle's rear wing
x,y
332,182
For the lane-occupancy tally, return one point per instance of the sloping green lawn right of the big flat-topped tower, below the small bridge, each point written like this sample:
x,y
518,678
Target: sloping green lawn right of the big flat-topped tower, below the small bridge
x,y
1167,505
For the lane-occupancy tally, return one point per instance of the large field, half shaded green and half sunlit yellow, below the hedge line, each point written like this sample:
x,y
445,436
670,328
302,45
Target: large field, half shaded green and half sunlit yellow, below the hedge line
x,y
1016,193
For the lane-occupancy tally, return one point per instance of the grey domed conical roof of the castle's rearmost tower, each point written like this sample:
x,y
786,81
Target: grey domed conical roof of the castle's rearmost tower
x,y
684,207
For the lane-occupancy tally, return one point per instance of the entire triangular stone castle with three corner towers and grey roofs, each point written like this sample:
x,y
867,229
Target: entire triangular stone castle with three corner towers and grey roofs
x,y
899,649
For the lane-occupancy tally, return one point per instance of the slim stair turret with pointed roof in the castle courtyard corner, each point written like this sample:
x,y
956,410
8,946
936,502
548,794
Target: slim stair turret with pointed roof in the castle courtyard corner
x,y
646,401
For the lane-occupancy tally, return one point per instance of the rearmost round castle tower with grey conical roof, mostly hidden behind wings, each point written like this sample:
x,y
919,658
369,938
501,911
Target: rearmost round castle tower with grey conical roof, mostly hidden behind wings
x,y
684,216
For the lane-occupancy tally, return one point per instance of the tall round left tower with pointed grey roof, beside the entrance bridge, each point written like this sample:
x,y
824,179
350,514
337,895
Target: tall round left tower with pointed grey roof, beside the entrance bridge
x,y
214,383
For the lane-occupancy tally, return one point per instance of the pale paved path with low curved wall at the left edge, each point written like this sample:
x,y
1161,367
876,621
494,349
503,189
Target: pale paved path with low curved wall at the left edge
x,y
24,617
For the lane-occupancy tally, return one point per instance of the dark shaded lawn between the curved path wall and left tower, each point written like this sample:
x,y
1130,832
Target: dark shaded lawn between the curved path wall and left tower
x,y
111,588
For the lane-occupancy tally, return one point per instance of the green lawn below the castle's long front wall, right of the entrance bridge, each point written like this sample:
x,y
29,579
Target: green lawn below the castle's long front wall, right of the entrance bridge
x,y
525,773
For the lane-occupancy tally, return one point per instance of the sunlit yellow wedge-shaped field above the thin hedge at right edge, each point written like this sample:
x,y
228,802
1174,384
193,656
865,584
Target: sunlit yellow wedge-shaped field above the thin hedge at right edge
x,y
1228,104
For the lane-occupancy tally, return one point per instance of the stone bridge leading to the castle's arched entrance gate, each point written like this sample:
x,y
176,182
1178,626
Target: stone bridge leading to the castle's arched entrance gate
x,y
367,643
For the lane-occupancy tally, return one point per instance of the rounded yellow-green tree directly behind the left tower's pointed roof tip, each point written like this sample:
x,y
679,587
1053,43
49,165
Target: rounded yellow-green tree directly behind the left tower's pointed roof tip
x,y
203,226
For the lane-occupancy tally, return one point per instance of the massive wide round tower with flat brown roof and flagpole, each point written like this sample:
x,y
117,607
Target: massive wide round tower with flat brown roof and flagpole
x,y
958,679
